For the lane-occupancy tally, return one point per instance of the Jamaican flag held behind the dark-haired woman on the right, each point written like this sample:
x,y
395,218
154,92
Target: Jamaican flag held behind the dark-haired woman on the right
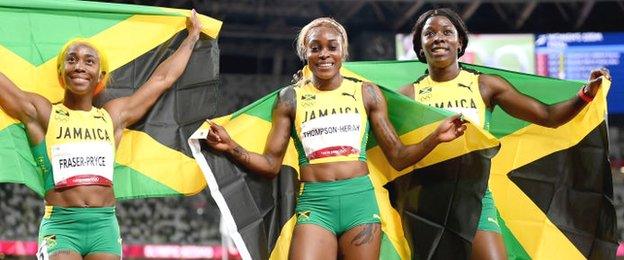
x,y
552,187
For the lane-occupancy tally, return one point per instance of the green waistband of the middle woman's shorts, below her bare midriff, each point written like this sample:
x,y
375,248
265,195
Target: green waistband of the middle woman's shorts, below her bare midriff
x,y
340,187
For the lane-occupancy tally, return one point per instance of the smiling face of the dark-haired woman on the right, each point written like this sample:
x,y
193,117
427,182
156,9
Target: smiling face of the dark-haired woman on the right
x,y
440,41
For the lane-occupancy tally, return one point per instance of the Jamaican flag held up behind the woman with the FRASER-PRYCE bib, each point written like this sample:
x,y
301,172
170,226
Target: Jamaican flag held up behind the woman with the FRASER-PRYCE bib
x,y
152,158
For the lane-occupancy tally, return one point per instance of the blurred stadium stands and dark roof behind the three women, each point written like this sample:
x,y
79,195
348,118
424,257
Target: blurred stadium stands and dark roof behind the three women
x,y
258,56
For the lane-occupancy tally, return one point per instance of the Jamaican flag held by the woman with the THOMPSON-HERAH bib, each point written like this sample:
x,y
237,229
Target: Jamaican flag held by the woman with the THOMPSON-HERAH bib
x,y
260,212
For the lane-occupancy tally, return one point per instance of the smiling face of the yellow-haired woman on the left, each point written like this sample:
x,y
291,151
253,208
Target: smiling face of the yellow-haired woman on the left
x,y
81,69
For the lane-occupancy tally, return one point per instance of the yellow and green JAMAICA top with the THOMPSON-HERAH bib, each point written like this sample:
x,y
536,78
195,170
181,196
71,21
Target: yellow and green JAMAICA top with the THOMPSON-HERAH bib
x,y
330,126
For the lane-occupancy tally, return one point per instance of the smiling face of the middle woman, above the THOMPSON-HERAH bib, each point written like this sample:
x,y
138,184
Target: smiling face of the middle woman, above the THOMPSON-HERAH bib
x,y
324,52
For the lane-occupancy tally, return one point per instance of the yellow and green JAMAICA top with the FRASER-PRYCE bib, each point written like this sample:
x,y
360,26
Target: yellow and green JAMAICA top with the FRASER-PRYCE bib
x,y
78,148
